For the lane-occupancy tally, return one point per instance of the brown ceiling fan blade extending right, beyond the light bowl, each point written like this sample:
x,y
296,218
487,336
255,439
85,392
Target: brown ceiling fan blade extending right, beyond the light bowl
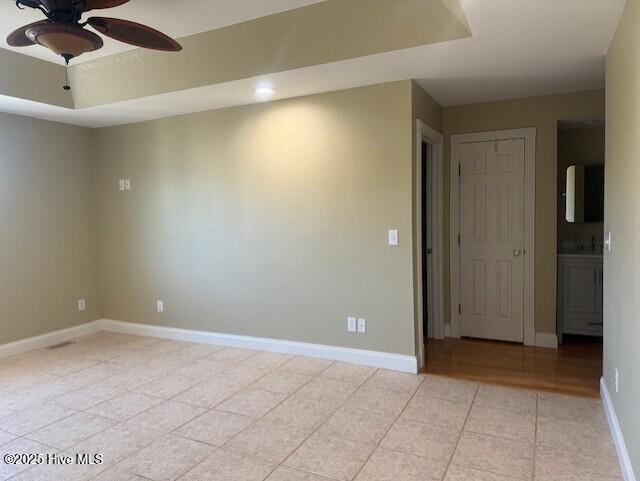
x,y
134,33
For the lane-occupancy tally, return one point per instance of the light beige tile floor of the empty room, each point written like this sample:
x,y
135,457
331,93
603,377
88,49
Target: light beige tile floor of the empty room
x,y
162,410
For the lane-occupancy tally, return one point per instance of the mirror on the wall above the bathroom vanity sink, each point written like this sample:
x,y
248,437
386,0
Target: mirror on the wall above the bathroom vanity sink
x,y
584,194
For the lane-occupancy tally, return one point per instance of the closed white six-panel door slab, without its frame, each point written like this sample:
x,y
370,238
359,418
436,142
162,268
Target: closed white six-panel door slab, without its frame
x,y
492,184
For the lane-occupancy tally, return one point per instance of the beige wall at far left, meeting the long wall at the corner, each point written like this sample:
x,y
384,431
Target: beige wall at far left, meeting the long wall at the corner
x,y
48,245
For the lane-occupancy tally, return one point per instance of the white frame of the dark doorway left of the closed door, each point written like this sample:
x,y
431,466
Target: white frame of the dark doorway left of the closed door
x,y
436,293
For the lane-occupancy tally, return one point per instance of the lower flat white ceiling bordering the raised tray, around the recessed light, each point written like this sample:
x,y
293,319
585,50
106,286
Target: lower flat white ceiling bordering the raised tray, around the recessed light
x,y
519,48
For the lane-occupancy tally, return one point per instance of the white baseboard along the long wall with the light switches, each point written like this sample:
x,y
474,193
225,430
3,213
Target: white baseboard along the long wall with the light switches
x,y
384,360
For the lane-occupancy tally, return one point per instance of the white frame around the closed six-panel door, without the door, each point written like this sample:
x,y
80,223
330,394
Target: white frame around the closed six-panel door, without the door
x,y
529,136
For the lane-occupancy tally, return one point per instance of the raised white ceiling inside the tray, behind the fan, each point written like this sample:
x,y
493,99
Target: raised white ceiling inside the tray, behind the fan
x,y
176,18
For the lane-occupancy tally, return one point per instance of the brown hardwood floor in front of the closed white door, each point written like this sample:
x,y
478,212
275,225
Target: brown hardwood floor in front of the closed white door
x,y
575,368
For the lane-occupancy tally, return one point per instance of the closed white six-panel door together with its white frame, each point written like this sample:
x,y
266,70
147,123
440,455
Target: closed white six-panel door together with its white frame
x,y
492,241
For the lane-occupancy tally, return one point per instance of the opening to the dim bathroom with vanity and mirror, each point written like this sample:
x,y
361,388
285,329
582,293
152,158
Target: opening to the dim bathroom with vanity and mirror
x,y
580,231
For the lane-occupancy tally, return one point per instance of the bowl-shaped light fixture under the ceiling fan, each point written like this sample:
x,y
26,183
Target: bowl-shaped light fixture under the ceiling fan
x,y
70,41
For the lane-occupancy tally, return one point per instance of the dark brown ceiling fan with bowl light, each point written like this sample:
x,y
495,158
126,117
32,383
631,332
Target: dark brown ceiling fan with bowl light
x,y
63,31
